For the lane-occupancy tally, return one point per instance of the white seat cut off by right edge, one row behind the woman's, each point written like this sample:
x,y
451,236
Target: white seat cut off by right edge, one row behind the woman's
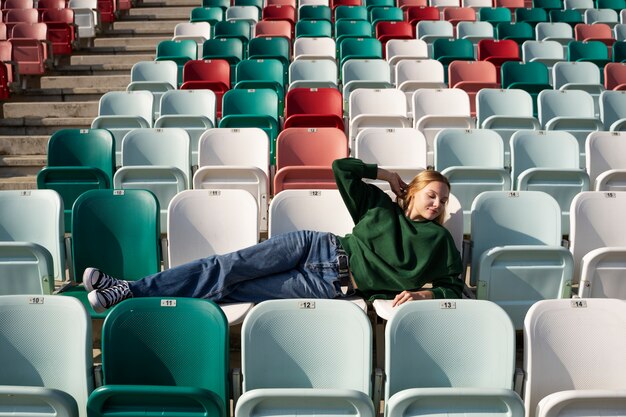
x,y
606,160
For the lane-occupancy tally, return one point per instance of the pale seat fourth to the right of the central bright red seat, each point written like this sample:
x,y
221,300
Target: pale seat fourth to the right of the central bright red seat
x,y
569,110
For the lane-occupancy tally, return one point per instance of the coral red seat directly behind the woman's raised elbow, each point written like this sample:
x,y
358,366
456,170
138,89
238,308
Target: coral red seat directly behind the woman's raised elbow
x,y
304,157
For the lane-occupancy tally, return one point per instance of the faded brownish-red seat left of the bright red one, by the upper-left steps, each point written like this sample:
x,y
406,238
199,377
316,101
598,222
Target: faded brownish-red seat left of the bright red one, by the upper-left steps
x,y
30,50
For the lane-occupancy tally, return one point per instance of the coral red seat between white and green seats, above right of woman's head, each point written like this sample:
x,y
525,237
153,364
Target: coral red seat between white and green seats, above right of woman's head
x,y
471,77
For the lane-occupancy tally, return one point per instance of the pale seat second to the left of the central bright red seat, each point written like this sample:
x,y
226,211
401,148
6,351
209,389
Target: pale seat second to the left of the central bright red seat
x,y
192,110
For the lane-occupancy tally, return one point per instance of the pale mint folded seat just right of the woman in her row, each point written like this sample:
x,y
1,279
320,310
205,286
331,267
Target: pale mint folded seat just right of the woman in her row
x,y
516,263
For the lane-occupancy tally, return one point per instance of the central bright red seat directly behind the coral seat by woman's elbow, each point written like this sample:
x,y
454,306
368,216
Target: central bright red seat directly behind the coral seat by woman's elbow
x,y
314,107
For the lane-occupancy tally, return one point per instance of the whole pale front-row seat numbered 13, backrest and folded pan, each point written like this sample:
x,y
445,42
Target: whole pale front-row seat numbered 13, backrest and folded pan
x,y
480,341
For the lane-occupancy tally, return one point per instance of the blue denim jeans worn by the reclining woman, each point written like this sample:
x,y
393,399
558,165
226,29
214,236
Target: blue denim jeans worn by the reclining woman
x,y
215,277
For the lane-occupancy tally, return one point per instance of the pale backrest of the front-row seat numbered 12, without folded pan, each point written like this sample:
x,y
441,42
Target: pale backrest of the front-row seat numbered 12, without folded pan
x,y
297,336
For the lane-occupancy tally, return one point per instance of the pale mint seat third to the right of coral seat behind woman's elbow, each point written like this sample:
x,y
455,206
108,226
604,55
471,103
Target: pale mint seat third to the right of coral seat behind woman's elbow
x,y
548,161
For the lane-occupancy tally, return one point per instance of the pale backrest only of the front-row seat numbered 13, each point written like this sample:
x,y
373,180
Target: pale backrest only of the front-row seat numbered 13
x,y
479,350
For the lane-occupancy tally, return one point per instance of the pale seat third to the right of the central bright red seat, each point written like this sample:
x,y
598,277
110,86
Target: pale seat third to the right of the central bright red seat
x,y
505,112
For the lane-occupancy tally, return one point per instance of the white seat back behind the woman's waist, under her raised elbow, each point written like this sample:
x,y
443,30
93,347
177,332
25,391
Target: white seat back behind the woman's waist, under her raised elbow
x,y
306,210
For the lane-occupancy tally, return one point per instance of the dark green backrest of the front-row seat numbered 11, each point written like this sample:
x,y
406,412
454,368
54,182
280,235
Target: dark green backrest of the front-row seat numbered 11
x,y
179,342
